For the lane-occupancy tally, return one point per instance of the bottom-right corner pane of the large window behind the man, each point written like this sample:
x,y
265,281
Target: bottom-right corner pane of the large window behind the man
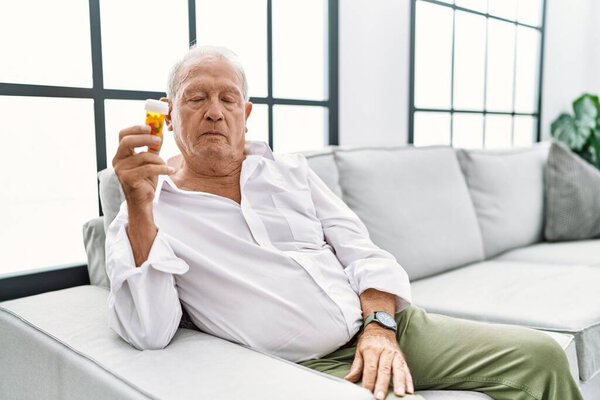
x,y
299,128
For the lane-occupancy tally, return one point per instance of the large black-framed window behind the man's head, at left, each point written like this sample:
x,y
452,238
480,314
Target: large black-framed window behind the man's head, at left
x,y
101,60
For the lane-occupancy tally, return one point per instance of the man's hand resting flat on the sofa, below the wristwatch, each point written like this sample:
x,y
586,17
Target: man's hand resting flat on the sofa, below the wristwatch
x,y
379,360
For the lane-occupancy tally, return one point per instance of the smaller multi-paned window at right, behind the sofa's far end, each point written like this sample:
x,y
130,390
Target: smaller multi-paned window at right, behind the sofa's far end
x,y
476,72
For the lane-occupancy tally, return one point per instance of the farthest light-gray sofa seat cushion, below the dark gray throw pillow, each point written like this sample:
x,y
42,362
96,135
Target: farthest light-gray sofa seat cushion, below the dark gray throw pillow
x,y
583,252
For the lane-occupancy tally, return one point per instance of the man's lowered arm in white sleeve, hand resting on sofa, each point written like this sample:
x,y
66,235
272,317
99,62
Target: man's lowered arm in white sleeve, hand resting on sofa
x,y
382,284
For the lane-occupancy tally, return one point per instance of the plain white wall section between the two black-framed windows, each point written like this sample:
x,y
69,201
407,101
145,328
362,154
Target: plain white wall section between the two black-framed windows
x,y
374,72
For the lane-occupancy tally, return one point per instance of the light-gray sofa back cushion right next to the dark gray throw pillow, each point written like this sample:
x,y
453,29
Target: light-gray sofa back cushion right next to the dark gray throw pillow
x,y
507,188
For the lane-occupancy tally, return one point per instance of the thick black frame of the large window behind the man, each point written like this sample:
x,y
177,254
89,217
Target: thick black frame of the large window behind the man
x,y
39,280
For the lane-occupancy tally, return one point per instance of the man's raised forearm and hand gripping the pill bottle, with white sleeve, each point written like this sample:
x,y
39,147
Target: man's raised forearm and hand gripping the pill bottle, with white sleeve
x,y
143,304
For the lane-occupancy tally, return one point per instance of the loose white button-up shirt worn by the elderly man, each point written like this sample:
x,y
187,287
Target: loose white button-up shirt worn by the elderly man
x,y
281,272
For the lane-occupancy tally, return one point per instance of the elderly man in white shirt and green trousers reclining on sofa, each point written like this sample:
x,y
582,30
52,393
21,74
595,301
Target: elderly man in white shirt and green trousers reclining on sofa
x,y
260,252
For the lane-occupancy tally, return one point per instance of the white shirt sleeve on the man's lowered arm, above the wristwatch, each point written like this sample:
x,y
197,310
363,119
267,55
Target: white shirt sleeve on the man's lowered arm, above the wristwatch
x,y
366,265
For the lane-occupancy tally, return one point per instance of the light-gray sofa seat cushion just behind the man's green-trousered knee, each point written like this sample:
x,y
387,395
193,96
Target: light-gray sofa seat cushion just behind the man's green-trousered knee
x,y
558,298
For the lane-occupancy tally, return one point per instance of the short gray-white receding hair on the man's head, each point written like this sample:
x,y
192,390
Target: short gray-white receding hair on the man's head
x,y
199,52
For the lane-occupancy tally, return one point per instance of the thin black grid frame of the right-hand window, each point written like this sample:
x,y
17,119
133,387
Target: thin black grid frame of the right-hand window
x,y
413,109
